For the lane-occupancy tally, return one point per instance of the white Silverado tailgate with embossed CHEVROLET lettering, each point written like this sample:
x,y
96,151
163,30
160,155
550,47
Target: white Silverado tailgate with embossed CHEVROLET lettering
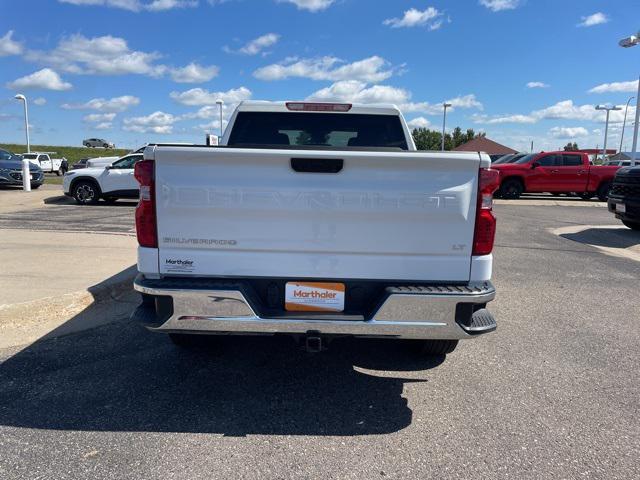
x,y
246,213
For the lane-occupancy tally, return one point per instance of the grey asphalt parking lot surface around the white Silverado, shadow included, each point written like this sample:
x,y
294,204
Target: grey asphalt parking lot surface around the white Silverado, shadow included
x,y
554,393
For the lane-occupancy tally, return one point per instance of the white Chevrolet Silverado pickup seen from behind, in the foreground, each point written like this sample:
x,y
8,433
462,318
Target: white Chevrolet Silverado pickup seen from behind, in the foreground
x,y
316,220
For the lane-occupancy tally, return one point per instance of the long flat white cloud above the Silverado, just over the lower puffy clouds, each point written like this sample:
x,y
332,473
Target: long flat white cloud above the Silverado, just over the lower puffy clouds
x,y
373,69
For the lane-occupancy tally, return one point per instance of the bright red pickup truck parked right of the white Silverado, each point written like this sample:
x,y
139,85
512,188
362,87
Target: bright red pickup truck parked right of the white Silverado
x,y
555,172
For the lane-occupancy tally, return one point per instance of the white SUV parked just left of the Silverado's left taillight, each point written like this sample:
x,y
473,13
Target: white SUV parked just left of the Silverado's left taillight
x,y
89,185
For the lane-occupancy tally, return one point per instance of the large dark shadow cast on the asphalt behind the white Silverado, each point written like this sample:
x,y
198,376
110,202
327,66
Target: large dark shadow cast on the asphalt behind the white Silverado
x,y
119,377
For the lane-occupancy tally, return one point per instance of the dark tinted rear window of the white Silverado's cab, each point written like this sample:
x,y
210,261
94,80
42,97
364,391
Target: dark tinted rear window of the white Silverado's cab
x,y
317,130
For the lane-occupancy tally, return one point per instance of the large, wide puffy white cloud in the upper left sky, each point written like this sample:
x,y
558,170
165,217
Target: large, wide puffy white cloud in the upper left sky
x,y
106,55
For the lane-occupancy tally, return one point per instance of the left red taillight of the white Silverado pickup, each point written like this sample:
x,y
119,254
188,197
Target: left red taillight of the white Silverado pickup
x,y
146,210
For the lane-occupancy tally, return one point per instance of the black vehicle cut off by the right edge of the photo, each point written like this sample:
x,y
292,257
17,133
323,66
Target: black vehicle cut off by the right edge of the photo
x,y
624,196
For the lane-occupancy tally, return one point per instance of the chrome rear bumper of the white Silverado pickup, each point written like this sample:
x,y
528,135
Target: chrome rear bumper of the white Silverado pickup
x,y
425,312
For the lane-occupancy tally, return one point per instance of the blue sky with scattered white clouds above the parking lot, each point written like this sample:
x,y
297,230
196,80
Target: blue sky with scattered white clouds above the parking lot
x,y
133,71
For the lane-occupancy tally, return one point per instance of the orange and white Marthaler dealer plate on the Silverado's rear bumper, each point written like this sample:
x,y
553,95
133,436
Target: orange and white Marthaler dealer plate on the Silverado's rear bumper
x,y
314,297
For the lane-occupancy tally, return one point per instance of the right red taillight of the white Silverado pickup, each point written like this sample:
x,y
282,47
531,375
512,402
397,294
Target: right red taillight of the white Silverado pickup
x,y
485,231
